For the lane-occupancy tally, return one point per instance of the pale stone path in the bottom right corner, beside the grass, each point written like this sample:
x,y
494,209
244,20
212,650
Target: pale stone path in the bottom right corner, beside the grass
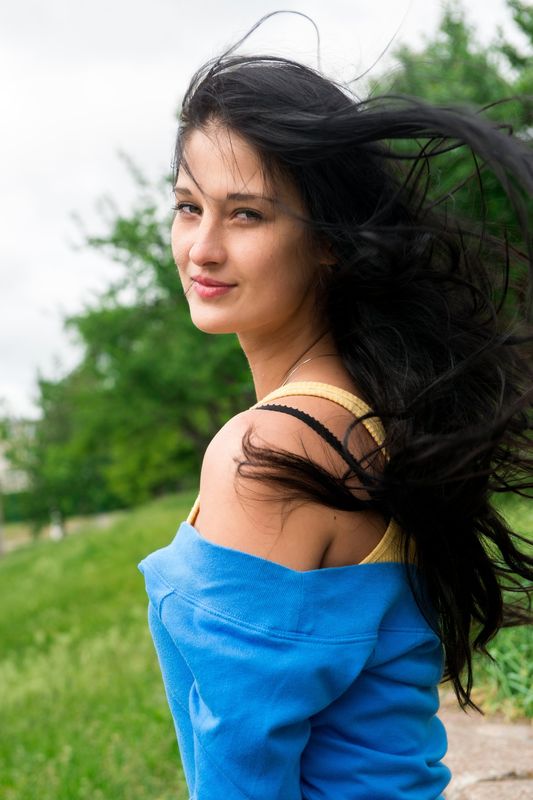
x,y
490,759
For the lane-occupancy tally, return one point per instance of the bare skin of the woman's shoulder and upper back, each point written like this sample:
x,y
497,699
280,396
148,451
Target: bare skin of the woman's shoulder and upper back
x,y
245,514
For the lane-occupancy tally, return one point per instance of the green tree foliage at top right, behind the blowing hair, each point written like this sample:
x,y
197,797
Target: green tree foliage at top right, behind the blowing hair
x,y
454,69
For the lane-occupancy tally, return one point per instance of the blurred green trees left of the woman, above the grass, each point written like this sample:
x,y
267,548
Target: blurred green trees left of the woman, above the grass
x,y
132,420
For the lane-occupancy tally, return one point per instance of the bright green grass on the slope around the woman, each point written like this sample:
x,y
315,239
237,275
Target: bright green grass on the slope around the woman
x,y
83,713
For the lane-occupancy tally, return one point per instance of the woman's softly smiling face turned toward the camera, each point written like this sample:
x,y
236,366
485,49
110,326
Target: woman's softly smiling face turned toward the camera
x,y
228,229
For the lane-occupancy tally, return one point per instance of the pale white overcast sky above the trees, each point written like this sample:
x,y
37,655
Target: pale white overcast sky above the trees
x,y
81,81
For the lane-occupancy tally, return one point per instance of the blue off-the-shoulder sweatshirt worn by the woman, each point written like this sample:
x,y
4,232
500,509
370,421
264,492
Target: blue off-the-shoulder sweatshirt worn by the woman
x,y
289,685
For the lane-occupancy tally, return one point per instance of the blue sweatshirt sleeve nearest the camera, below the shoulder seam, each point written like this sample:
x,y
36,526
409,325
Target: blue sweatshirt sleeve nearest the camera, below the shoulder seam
x,y
251,695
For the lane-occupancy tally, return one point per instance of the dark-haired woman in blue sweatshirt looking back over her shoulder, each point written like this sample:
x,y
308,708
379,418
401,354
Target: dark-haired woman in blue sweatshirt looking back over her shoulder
x,y
343,553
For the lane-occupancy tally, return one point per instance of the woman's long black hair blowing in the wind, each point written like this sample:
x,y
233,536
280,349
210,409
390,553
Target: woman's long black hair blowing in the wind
x,y
429,314
